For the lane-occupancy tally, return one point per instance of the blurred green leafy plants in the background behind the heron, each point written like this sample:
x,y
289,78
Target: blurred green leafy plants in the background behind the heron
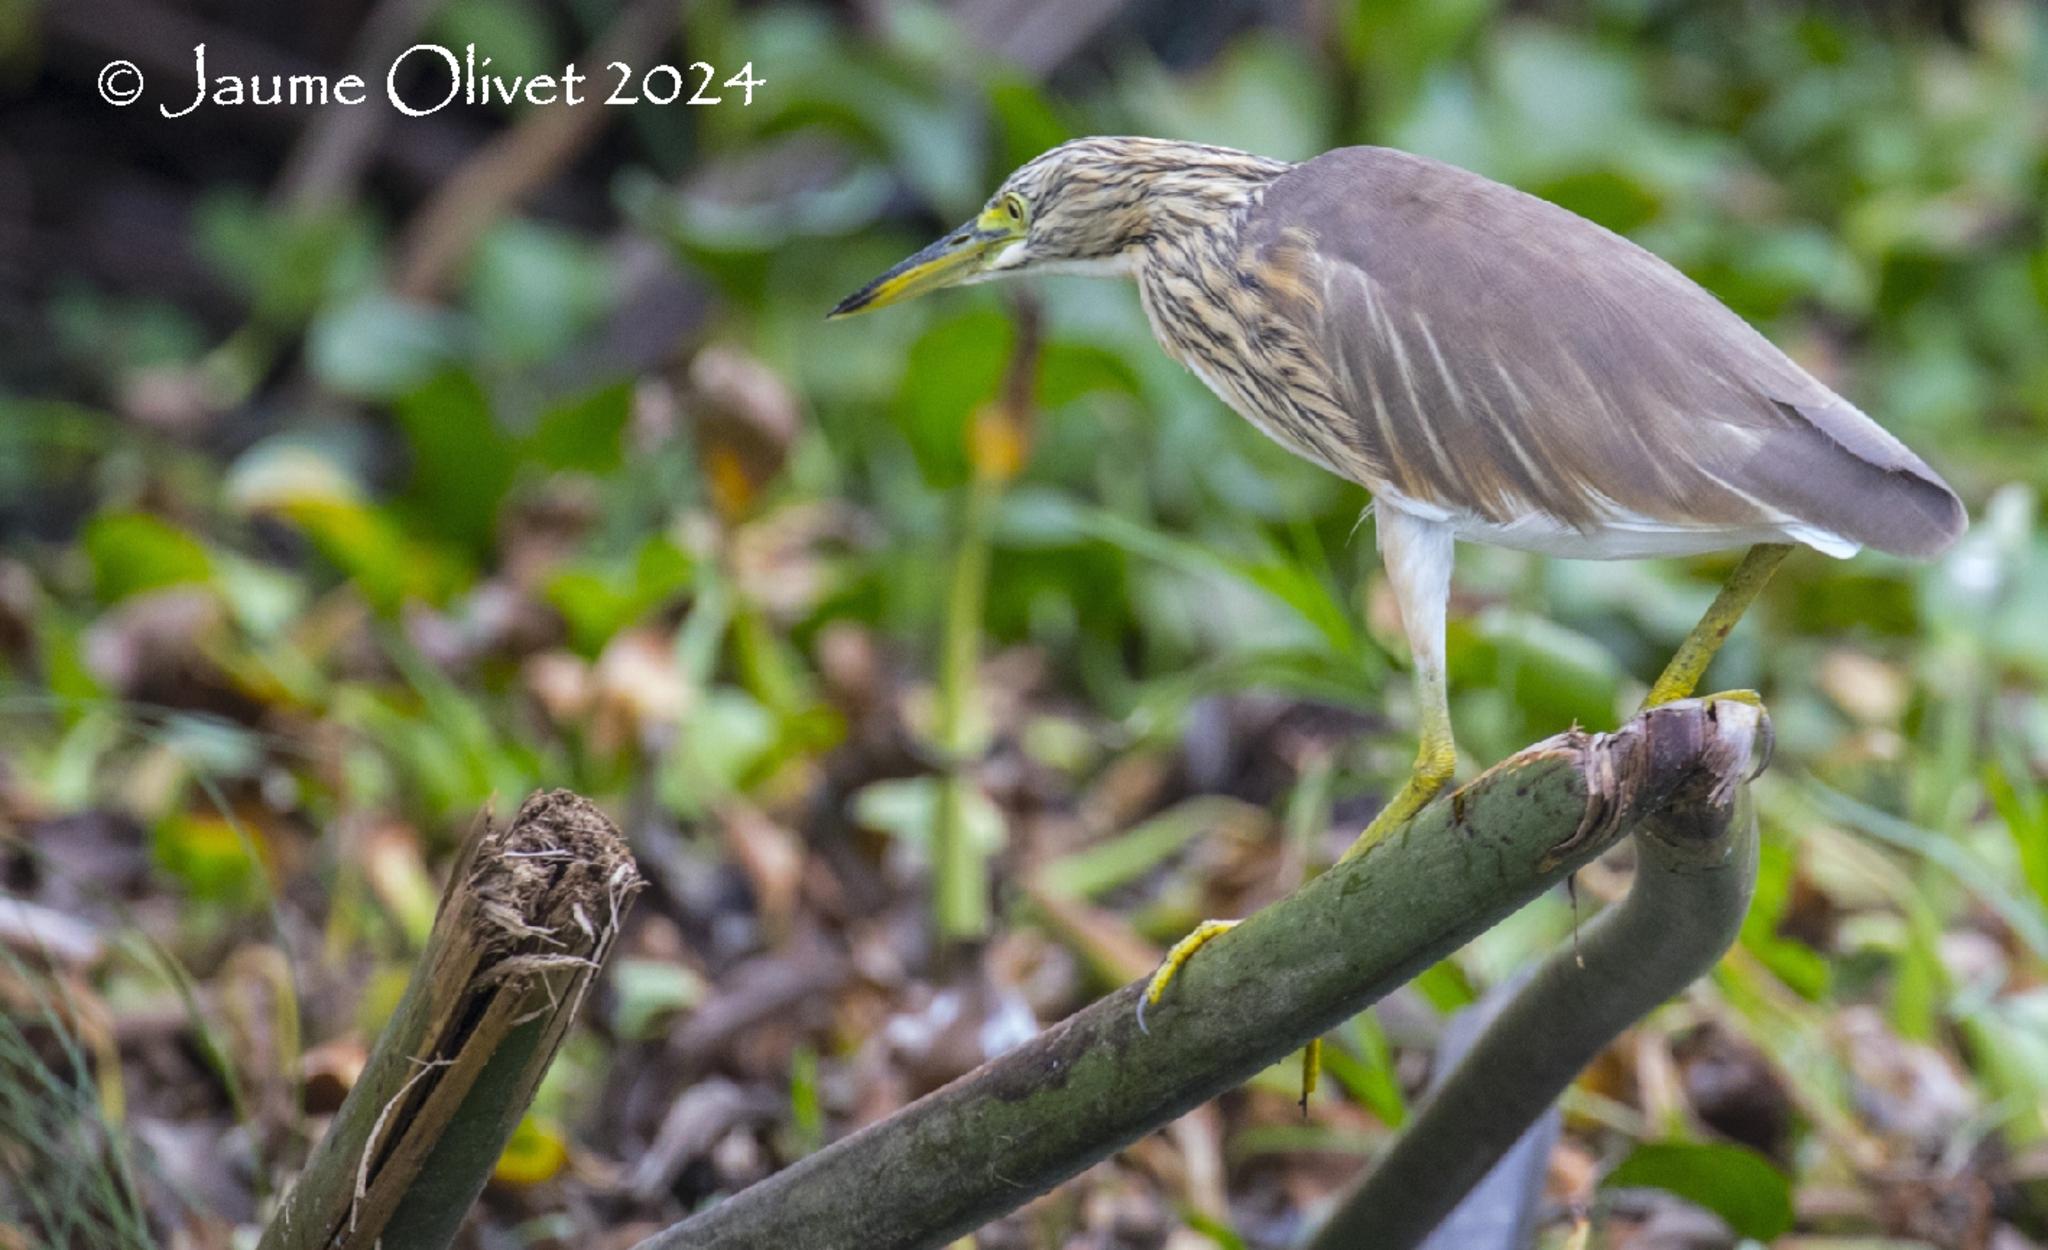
x,y
351,560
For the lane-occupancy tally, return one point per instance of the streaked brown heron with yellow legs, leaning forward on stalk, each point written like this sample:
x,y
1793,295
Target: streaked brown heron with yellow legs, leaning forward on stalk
x,y
1490,366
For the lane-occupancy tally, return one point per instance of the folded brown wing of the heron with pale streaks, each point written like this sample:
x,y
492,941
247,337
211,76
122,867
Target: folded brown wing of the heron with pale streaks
x,y
1502,358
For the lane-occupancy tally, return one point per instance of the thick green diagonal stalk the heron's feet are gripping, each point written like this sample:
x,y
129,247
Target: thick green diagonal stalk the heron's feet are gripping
x,y
1046,1112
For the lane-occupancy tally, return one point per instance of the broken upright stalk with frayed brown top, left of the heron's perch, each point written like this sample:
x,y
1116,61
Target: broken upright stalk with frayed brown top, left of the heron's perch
x,y
523,929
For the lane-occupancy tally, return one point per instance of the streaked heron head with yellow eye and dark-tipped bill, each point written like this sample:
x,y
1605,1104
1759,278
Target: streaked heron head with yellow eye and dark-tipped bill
x,y
1080,208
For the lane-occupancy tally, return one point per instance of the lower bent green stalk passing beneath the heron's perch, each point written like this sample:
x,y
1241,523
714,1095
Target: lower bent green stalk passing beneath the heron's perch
x,y
1697,868
